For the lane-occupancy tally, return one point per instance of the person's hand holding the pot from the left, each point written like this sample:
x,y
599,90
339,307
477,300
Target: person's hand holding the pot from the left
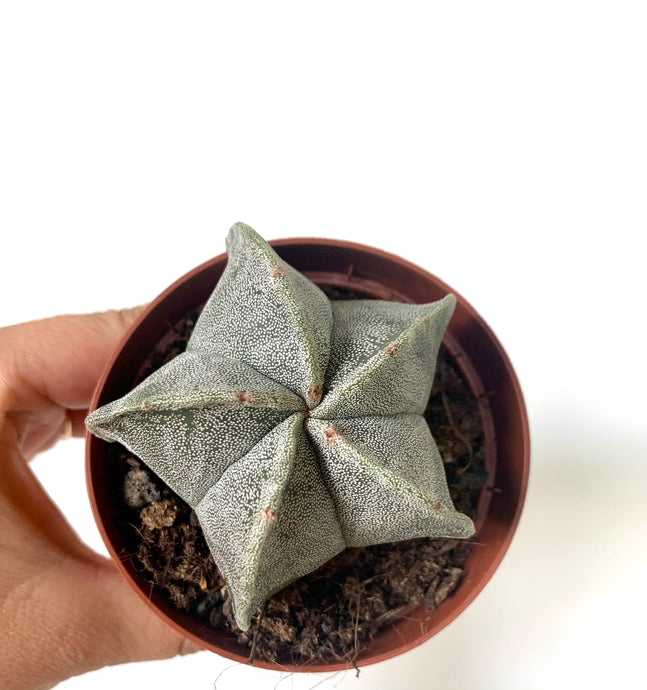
x,y
64,609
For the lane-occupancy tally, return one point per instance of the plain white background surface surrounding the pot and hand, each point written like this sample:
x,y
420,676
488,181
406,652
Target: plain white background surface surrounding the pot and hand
x,y
500,145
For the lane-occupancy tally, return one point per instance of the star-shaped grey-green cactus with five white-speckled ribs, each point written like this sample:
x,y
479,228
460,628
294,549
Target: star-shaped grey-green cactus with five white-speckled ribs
x,y
293,424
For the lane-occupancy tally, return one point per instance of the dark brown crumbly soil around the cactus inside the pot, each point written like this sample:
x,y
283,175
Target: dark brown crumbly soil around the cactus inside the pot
x,y
332,612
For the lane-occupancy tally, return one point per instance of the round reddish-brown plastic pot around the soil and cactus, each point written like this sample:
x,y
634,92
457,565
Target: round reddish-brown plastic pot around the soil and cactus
x,y
478,354
